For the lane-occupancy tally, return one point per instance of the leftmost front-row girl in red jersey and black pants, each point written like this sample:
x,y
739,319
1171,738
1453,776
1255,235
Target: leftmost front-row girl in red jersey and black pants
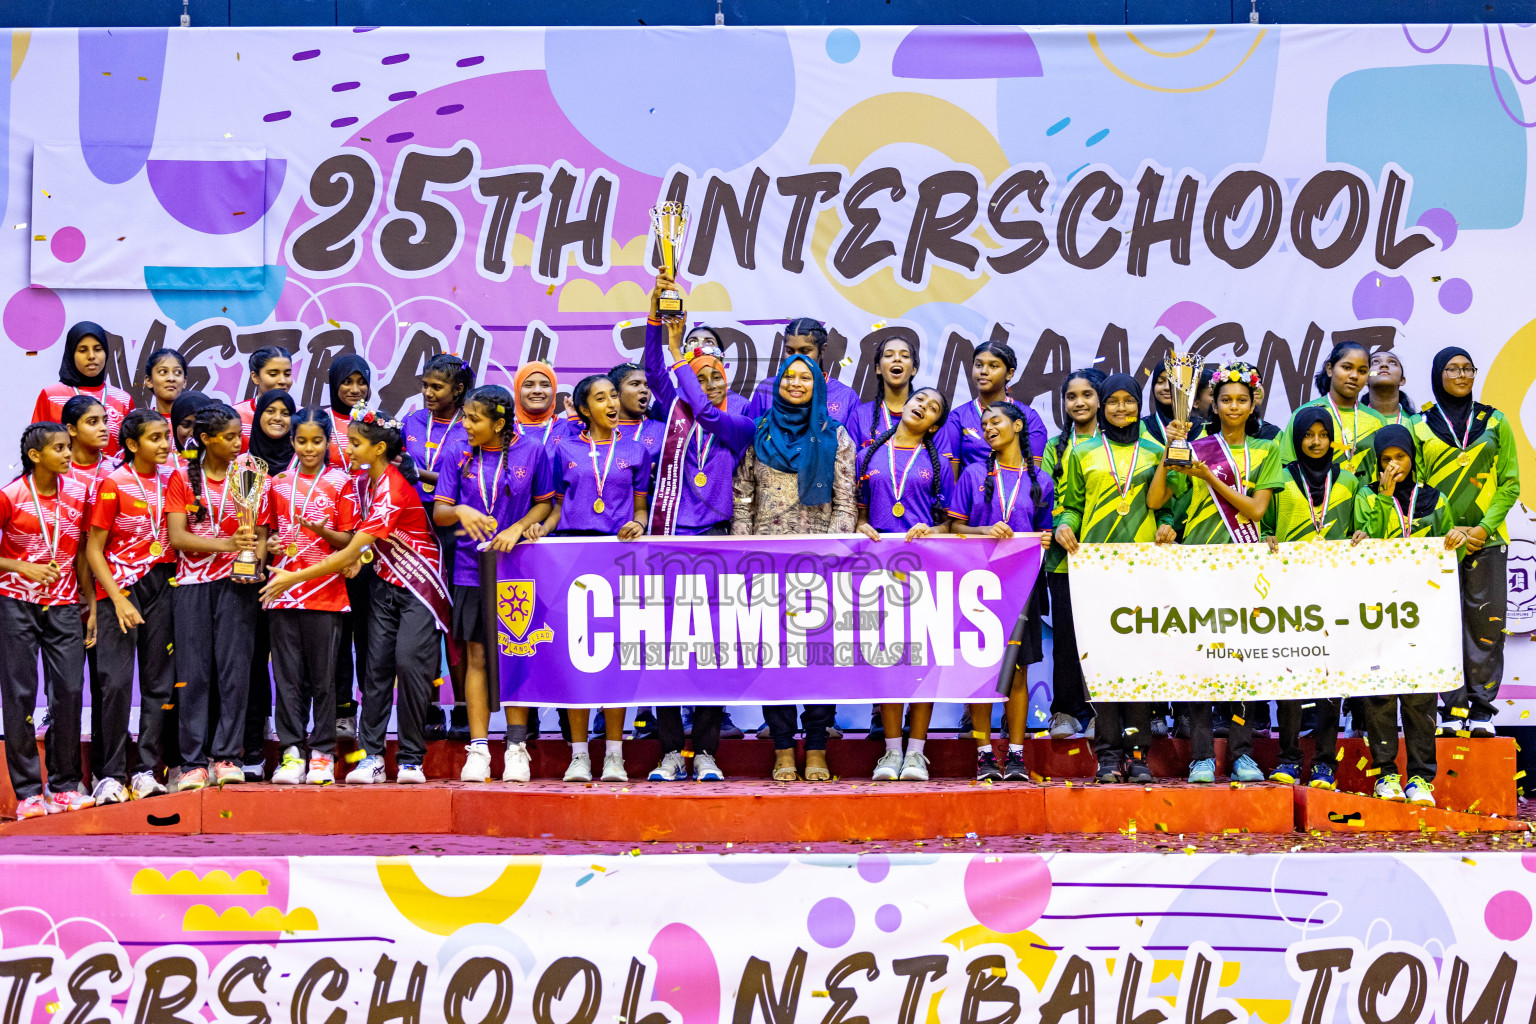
x,y
42,563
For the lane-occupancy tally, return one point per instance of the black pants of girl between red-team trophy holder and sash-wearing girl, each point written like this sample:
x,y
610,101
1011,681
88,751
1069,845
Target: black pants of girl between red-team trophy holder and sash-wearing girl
x,y
305,649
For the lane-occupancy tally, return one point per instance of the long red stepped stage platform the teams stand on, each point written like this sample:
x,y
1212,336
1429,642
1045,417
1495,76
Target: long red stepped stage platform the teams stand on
x,y
1475,796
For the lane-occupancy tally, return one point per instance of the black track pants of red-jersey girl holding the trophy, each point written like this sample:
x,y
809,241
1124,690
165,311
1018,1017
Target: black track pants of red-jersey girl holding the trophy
x,y
216,633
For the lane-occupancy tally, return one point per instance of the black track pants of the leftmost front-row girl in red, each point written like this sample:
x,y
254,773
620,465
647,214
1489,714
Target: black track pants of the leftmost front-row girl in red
x,y
58,635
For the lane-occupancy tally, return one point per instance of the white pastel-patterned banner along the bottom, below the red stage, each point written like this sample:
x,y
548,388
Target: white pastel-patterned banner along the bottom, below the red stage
x,y
970,939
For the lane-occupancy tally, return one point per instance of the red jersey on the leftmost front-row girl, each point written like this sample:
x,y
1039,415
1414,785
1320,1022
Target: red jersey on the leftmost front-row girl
x,y
22,538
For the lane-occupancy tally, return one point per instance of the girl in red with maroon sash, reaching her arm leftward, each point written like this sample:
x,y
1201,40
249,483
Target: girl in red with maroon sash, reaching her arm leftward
x,y
409,600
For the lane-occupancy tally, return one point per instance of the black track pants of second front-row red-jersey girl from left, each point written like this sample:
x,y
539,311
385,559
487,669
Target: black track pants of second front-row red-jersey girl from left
x,y
147,647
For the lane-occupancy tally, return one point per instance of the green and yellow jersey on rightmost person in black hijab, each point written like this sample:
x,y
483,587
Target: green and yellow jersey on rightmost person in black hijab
x,y
1480,484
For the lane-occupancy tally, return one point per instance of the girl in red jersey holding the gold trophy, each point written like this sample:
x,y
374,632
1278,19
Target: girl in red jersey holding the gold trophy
x,y
216,616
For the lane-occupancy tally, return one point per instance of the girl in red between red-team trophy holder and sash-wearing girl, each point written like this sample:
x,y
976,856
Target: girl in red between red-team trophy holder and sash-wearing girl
x,y
314,514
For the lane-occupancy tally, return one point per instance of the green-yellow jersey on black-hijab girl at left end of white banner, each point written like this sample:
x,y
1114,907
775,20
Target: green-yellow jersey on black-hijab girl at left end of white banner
x,y
1090,500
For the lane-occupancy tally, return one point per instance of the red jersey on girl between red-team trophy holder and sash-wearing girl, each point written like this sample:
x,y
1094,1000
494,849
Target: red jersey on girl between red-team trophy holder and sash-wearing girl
x,y
329,500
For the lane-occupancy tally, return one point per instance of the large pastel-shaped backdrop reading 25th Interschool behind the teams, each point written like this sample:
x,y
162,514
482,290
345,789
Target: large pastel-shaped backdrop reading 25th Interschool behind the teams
x,y
1091,196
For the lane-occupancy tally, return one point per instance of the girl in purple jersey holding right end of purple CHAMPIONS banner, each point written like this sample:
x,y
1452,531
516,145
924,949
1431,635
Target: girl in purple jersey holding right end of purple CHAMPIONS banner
x,y
1004,497
